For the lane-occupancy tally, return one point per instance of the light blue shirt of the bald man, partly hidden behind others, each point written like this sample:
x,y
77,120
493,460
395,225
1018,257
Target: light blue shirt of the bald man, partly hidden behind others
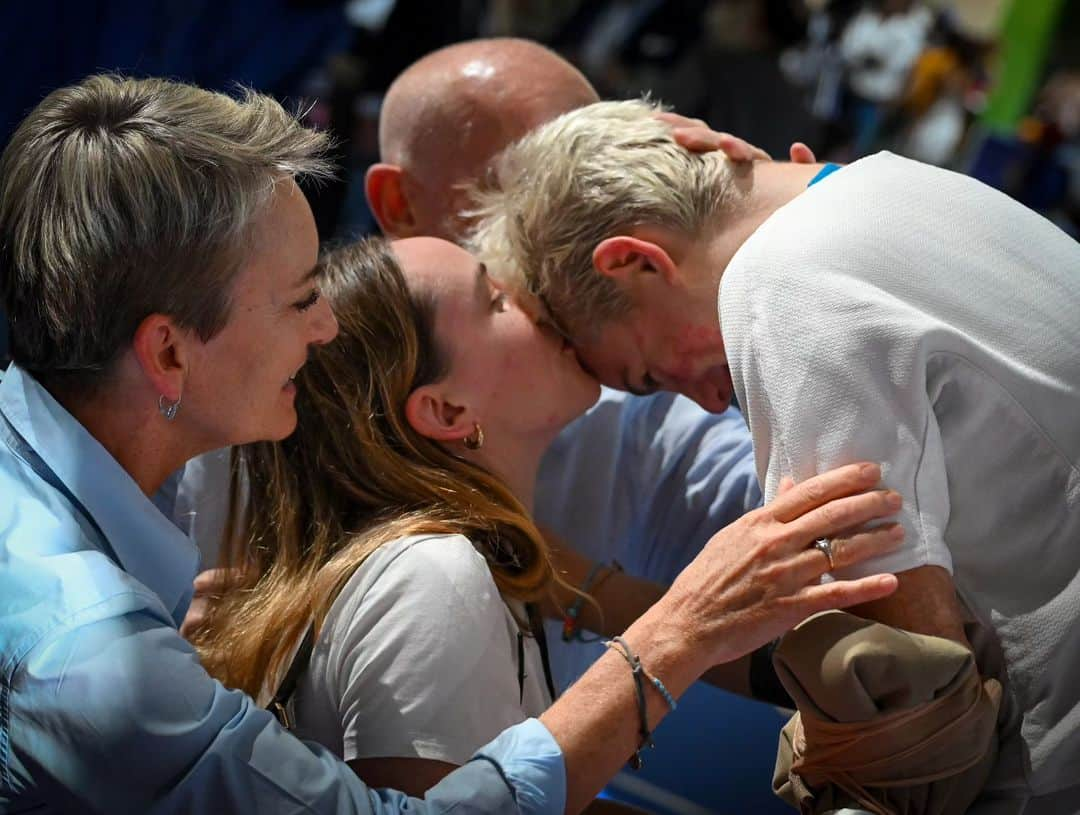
x,y
645,481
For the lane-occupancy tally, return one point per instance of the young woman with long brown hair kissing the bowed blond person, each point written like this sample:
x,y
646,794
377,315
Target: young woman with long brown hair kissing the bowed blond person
x,y
396,521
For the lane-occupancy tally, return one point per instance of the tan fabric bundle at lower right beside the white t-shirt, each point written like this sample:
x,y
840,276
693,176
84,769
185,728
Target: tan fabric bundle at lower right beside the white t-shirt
x,y
889,722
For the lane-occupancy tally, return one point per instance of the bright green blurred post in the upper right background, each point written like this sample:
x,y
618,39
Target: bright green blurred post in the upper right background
x,y
1027,34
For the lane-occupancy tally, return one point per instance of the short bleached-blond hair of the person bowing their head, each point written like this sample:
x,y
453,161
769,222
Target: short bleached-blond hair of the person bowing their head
x,y
588,175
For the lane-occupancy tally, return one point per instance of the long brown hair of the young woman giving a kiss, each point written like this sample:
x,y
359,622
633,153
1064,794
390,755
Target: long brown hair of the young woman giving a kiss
x,y
354,477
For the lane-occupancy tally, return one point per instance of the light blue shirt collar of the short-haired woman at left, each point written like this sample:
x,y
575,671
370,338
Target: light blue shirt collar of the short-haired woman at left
x,y
150,547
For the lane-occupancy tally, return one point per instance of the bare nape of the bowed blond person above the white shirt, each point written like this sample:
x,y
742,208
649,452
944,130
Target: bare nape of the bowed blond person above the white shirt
x,y
769,186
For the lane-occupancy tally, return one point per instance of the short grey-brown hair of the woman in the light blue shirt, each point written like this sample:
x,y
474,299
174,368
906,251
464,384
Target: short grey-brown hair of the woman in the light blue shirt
x,y
123,198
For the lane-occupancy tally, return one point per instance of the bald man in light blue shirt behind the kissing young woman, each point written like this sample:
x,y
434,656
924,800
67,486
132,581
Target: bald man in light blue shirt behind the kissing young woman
x,y
640,481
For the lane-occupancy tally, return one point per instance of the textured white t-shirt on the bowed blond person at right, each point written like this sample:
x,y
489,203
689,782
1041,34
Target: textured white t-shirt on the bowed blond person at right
x,y
901,314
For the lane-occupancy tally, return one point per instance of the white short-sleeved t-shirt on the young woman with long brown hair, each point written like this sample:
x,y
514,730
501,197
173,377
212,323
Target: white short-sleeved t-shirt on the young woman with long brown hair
x,y
418,659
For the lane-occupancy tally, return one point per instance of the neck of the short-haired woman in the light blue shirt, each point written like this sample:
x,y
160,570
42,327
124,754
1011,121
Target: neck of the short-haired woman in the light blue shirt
x,y
130,428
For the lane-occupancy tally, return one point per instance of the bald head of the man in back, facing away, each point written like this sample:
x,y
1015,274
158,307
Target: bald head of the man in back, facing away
x,y
450,114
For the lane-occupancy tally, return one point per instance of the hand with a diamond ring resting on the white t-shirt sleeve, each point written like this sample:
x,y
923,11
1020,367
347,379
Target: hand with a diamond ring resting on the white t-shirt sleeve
x,y
761,576
